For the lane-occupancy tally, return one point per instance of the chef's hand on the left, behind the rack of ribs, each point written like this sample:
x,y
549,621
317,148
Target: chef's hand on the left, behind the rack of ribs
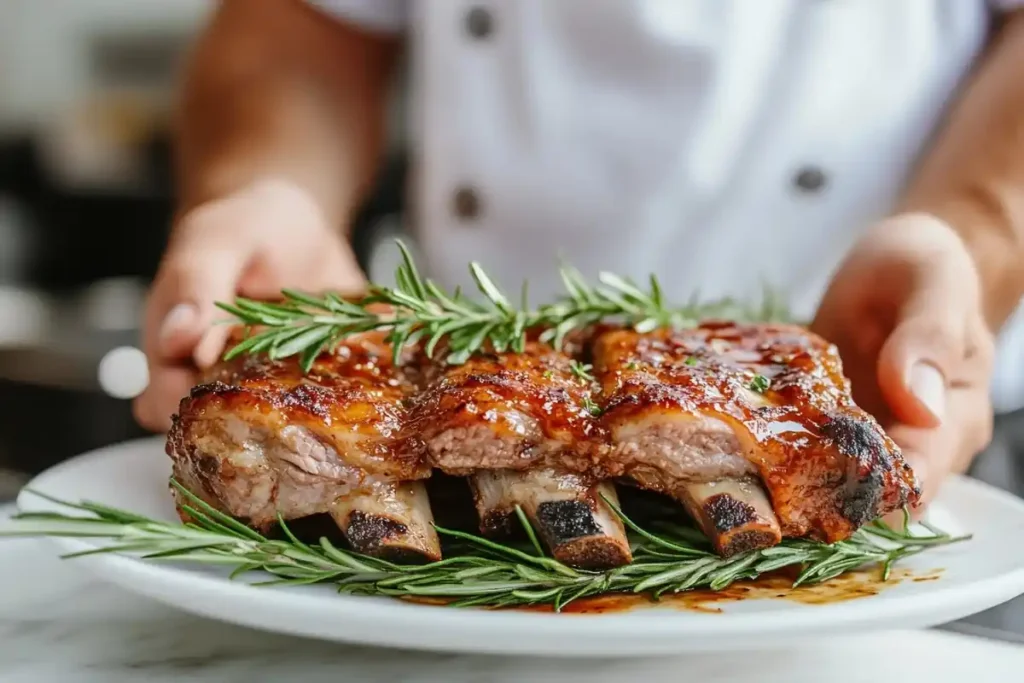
x,y
253,243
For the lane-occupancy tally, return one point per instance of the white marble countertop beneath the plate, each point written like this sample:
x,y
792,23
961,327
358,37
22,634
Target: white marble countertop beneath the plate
x,y
59,626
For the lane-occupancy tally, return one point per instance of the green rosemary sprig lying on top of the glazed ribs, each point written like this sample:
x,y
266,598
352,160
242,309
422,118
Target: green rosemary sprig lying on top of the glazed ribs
x,y
418,309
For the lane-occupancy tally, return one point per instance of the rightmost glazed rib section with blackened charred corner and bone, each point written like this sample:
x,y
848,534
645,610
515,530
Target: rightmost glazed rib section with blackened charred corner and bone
x,y
727,417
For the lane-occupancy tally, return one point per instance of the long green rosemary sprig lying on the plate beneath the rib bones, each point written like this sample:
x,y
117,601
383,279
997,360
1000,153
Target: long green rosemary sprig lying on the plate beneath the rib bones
x,y
671,561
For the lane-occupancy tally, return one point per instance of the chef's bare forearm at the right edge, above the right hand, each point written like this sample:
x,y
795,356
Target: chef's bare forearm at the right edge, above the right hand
x,y
973,179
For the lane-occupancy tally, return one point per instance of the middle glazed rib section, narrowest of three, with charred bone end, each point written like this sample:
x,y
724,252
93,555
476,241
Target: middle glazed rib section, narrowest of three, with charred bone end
x,y
520,428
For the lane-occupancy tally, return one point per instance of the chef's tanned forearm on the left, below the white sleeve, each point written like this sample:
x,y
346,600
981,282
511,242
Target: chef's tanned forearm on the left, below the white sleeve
x,y
275,90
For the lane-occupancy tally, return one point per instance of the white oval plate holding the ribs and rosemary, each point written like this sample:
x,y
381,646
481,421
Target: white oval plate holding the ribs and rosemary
x,y
976,575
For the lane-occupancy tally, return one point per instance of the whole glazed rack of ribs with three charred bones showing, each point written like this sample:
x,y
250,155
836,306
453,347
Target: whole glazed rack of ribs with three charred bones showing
x,y
750,428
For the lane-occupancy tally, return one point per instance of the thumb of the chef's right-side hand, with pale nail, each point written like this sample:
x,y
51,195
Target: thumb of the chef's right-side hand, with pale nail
x,y
918,360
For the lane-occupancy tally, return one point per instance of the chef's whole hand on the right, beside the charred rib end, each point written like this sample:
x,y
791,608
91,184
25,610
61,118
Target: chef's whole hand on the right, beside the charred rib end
x,y
905,310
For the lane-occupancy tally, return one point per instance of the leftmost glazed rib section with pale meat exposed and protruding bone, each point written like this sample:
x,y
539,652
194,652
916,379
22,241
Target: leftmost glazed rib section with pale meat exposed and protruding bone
x,y
261,439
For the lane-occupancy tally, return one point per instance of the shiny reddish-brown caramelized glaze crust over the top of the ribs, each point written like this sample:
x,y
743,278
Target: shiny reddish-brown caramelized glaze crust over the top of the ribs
x,y
828,466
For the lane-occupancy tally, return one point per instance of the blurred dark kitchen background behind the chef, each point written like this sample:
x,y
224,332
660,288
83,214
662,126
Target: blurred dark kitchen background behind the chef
x,y
86,205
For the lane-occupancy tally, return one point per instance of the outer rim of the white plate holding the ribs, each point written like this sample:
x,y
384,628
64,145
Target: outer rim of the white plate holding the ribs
x,y
383,622
